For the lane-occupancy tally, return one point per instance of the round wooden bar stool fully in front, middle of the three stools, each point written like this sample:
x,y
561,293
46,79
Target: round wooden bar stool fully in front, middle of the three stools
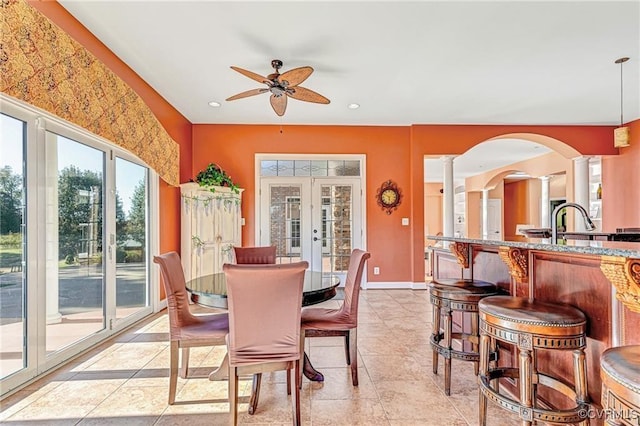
x,y
531,325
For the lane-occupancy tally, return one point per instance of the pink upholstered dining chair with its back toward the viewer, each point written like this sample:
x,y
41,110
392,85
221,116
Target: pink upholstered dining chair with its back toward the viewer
x,y
264,325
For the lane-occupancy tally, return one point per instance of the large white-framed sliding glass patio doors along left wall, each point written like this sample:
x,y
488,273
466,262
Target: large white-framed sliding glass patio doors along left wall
x,y
74,242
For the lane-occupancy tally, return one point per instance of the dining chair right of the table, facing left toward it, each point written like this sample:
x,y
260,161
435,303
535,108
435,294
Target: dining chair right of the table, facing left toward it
x,y
325,322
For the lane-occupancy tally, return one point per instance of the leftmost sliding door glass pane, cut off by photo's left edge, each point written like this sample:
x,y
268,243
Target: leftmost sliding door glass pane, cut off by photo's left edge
x,y
12,247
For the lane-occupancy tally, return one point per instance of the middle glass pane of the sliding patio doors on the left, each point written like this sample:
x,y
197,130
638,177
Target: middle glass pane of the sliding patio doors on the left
x,y
74,228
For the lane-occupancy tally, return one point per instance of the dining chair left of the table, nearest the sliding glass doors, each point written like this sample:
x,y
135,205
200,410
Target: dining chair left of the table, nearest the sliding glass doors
x,y
185,329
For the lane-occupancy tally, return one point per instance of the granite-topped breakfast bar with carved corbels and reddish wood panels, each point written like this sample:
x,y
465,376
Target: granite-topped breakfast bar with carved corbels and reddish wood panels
x,y
601,278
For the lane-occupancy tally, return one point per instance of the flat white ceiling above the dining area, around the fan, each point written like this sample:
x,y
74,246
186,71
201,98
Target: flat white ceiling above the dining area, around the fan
x,y
420,62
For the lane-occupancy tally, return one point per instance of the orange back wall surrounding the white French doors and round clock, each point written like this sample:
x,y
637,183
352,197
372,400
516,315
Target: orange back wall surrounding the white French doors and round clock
x,y
233,147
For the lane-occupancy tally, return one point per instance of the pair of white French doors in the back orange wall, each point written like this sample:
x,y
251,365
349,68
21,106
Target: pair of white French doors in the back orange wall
x,y
317,219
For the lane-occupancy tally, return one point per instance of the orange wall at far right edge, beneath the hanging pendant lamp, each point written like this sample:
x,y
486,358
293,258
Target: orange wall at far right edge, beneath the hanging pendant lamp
x,y
621,185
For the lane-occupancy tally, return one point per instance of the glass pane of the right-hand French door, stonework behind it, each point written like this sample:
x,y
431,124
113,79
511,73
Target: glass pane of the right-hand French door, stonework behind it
x,y
337,226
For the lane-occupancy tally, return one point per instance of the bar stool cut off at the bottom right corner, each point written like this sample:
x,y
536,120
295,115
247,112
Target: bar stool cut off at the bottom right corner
x,y
620,373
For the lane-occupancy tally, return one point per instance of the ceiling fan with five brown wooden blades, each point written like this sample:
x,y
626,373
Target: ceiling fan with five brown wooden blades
x,y
281,86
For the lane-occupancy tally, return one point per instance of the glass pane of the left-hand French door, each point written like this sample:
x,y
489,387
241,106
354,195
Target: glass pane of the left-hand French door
x,y
285,223
